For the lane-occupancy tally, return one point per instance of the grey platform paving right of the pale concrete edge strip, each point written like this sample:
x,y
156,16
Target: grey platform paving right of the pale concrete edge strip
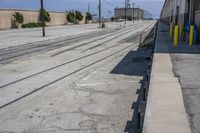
x,y
186,67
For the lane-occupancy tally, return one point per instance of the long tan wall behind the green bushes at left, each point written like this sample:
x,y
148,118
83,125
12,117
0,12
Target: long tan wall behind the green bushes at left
x,y
6,18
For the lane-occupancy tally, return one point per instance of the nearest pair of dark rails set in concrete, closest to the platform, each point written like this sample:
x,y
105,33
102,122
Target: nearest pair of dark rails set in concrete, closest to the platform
x,y
65,76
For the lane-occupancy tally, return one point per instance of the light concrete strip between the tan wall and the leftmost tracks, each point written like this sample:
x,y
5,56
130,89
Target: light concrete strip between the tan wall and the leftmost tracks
x,y
14,37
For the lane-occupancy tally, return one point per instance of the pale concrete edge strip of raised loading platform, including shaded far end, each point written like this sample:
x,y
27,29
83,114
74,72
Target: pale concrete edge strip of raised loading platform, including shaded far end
x,y
165,111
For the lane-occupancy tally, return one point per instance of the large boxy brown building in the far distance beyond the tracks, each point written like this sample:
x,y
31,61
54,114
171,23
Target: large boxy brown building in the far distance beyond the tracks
x,y
136,13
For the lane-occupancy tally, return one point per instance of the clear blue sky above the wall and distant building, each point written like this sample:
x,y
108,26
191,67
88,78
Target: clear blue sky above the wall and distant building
x,y
152,6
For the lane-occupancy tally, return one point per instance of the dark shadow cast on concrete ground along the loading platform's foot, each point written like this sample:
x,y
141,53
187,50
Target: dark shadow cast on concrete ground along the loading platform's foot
x,y
135,63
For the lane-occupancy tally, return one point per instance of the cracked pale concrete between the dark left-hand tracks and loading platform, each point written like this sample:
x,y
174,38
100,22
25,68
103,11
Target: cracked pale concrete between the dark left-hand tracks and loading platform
x,y
97,99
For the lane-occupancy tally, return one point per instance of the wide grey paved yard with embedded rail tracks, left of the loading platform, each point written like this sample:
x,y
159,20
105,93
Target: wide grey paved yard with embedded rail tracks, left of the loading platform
x,y
80,83
